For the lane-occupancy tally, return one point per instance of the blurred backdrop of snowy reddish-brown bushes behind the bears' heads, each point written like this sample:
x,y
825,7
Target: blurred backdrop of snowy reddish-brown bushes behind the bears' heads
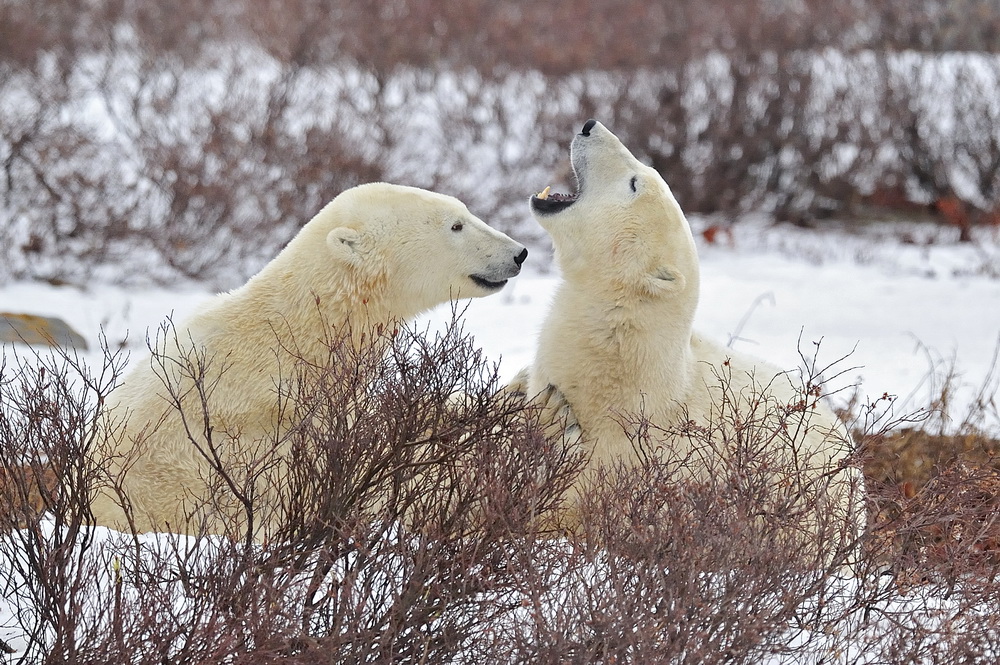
x,y
149,142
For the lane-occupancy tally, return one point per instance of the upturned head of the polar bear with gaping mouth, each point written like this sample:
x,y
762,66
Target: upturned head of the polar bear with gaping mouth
x,y
622,232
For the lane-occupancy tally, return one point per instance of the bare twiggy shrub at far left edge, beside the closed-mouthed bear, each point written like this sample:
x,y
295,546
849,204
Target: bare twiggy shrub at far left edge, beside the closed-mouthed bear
x,y
49,432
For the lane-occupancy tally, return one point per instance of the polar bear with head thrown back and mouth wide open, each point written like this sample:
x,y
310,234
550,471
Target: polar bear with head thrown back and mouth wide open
x,y
618,342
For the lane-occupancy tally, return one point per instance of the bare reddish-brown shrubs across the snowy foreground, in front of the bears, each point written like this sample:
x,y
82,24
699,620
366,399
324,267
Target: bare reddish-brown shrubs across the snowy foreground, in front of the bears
x,y
417,527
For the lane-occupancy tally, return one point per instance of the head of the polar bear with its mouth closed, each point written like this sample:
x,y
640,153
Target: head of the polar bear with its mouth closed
x,y
416,247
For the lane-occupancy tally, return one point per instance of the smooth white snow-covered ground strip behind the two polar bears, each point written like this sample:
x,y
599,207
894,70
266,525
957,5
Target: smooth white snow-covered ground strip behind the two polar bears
x,y
903,311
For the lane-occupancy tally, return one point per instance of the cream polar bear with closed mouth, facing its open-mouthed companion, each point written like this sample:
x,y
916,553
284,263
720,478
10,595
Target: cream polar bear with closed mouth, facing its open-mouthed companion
x,y
376,255
